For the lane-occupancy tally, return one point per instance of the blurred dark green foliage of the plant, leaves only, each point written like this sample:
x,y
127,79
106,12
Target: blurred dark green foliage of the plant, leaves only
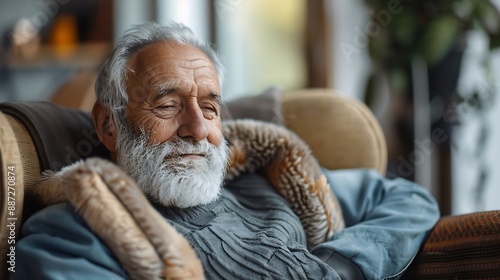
x,y
425,29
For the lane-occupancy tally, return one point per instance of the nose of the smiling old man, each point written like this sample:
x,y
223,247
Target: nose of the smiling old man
x,y
193,124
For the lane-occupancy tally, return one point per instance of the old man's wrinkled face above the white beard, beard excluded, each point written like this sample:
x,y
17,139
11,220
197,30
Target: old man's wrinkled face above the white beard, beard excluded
x,y
173,92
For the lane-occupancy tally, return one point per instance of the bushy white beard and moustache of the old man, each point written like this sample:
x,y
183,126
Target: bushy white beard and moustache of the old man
x,y
170,179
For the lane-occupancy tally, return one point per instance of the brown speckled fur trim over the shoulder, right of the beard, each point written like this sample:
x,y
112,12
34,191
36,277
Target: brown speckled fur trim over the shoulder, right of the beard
x,y
288,163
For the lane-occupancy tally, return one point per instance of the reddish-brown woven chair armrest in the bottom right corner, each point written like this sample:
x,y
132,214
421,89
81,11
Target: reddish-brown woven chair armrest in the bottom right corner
x,y
463,246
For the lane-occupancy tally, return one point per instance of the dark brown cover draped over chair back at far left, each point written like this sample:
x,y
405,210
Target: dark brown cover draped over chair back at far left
x,y
46,121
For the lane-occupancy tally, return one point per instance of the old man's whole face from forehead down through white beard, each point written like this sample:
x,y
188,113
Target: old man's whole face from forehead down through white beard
x,y
171,142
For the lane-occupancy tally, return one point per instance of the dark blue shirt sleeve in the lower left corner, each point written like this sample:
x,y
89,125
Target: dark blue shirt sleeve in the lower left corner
x,y
57,244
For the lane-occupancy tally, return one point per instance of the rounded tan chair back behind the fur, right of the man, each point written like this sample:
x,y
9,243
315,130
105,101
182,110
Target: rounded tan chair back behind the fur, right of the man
x,y
341,131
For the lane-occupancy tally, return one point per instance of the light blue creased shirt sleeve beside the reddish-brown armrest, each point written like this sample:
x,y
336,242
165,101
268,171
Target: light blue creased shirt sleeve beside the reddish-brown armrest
x,y
386,223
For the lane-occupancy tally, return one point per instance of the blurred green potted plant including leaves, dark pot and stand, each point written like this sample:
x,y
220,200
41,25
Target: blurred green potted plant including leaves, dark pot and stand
x,y
435,33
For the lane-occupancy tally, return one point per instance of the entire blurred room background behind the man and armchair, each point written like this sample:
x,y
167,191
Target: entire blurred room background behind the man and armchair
x,y
428,70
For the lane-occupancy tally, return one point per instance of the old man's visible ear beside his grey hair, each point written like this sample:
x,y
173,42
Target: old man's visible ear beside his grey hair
x,y
105,126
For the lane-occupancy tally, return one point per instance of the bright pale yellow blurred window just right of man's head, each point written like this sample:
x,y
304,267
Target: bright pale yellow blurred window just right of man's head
x,y
261,44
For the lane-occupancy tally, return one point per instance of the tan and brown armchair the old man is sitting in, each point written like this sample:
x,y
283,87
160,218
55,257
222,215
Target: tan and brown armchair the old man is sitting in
x,y
39,136
